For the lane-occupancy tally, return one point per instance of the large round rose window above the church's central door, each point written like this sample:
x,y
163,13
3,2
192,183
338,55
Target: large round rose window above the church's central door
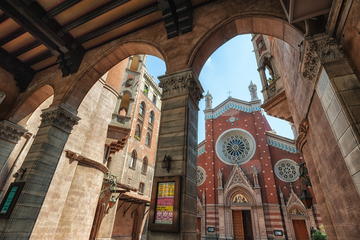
x,y
235,146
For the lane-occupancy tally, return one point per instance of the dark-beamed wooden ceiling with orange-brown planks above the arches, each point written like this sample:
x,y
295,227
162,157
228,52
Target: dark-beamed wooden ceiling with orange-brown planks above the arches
x,y
36,34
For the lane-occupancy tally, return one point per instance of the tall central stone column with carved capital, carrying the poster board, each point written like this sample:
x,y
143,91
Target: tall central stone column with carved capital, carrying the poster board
x,y
178,138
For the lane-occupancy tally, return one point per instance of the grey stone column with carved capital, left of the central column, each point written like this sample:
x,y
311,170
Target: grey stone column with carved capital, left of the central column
x,y
39,166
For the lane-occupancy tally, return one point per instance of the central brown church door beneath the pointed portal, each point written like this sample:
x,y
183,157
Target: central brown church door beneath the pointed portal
x,y
242,225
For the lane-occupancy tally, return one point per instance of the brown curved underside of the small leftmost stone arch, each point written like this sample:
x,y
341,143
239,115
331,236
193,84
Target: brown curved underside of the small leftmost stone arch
x,y
30,102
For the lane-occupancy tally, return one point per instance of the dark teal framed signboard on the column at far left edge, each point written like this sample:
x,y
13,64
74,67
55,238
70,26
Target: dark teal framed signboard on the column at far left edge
x,y
9,201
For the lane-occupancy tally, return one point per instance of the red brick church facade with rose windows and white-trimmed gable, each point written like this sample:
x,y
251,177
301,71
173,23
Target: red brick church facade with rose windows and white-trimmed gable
x,y
248,177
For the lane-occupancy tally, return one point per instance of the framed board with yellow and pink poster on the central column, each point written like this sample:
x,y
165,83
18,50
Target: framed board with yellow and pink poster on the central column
x,y
164,208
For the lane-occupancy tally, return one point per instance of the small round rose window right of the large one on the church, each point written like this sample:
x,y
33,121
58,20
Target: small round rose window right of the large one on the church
x,y
287,170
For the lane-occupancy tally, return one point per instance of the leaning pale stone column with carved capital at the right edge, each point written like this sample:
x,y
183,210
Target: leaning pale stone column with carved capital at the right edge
x,y
338,88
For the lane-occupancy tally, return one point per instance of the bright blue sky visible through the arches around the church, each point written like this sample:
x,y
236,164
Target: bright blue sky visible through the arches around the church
x,y
228,70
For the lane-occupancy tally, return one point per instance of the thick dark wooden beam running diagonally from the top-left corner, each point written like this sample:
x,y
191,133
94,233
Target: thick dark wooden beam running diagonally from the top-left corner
x,y
34,19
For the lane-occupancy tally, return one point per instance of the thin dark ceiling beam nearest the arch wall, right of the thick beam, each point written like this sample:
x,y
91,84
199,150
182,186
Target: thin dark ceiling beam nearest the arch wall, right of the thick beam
x,y
118,23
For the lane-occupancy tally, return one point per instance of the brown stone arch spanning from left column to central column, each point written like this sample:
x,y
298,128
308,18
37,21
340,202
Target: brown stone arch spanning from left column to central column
x,y
100,65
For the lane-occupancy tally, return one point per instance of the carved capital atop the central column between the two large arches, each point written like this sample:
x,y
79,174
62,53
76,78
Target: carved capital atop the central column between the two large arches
x,y
181,83
